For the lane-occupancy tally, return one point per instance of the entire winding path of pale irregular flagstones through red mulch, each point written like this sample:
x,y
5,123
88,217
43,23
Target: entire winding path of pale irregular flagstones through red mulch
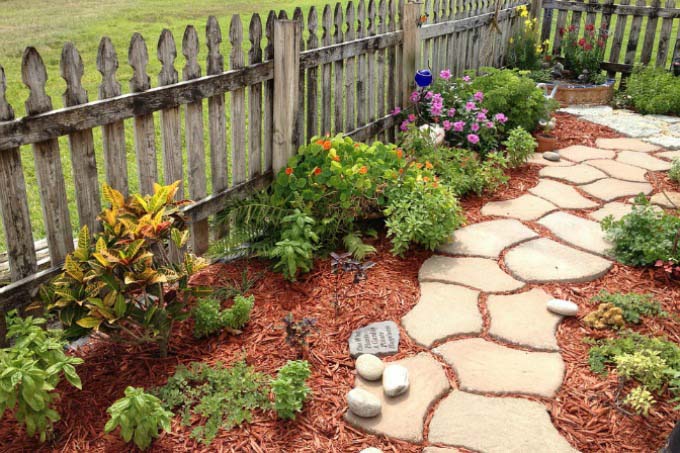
x,y
485,268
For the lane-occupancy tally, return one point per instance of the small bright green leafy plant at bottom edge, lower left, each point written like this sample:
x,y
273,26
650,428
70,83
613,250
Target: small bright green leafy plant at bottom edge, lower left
x,y
140,416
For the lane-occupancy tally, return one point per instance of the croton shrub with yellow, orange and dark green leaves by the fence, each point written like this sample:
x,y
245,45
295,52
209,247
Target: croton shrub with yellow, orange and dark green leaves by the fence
x,y
119,281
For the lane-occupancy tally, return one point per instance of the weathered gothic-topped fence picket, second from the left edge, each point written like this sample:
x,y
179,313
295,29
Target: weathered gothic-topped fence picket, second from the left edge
x,y
47,163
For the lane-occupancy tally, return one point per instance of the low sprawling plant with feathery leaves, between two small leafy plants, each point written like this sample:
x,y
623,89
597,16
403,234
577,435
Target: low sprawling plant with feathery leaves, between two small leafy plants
x,y
221,397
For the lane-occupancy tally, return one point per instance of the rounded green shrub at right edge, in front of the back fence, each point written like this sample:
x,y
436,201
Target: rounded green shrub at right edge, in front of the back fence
x,y
654,90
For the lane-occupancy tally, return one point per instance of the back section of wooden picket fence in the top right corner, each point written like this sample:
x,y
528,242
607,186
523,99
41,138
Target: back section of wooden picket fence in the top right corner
x,y
639,33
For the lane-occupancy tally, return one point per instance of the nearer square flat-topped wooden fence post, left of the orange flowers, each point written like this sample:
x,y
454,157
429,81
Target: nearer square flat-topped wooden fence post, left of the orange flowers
x,y
286,78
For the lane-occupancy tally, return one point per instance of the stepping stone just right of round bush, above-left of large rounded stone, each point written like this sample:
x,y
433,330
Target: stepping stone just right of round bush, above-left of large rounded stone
x,y
487,239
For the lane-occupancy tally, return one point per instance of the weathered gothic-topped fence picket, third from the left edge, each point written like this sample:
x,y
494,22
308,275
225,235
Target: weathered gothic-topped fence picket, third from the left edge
x,y
81,143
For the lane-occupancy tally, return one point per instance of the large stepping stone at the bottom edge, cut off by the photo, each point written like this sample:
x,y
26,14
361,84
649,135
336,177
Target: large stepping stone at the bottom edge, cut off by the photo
x,y
496,425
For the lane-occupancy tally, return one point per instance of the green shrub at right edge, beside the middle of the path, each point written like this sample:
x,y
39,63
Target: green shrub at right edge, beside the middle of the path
x,y
644,236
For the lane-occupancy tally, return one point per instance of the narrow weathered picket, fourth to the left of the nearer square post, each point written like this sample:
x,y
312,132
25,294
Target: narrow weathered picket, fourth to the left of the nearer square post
x,y
216,110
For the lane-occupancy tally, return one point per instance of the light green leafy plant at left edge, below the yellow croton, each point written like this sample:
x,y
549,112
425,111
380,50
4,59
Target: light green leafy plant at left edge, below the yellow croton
x,y
30,370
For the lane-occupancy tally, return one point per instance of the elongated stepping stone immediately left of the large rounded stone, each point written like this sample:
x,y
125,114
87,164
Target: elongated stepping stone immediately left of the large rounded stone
x,y
479,273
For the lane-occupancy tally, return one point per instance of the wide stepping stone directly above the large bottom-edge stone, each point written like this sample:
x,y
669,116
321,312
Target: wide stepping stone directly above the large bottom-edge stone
x,y
484,366
